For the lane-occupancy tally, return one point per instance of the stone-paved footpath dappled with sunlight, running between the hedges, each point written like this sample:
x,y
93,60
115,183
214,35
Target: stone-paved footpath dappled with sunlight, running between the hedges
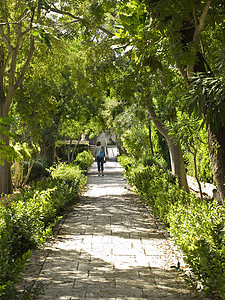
x,y
108,247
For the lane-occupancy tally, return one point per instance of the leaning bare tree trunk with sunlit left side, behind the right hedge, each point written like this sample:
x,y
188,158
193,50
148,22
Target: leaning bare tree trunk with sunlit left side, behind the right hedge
x,y
176,155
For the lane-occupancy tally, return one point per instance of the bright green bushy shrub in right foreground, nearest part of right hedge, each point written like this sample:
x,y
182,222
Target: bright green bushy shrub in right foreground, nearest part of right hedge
x,y
198,229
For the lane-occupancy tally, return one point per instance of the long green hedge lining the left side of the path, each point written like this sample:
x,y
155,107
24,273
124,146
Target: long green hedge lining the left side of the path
x,y
27,220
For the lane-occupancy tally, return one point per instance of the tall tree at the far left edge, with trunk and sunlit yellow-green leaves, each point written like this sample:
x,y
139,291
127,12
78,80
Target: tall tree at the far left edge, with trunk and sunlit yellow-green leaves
x,y
22,24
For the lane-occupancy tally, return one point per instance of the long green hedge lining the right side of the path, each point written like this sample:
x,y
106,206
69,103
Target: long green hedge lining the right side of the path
x,y
196,226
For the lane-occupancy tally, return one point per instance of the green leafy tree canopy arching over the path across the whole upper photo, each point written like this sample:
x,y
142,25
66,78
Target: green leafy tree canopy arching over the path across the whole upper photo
x,y
63,61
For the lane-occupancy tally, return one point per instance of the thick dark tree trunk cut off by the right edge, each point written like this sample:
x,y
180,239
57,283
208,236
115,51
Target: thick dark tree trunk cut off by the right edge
x,y
216,142
